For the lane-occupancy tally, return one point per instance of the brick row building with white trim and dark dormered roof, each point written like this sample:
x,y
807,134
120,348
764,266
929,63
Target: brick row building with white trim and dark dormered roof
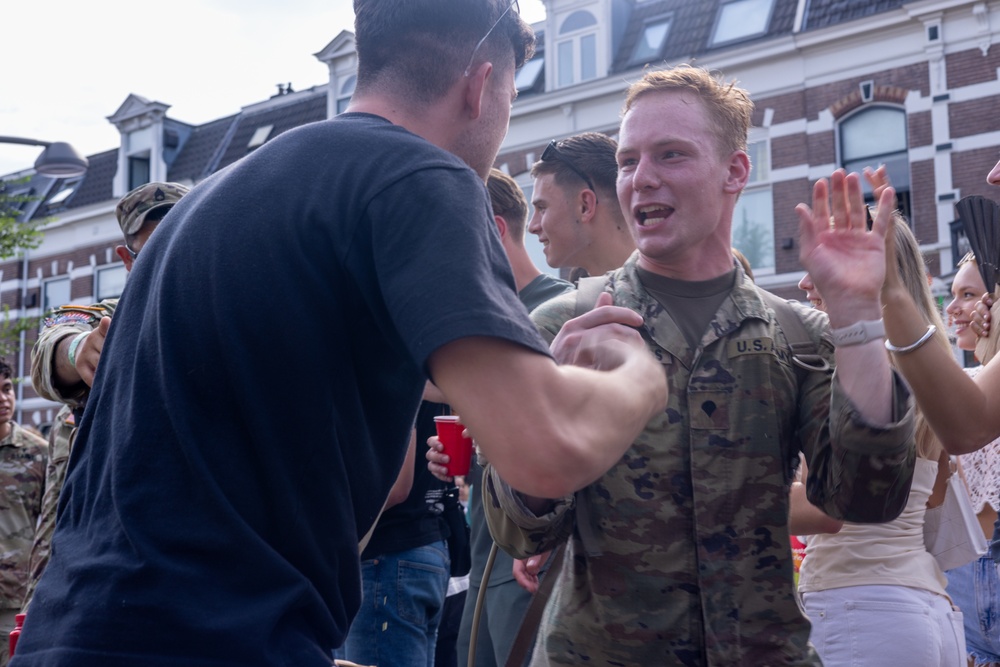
x,y
836,83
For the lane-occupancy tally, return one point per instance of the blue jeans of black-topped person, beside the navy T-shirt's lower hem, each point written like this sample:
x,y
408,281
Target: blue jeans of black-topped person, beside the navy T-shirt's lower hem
x,y
402,598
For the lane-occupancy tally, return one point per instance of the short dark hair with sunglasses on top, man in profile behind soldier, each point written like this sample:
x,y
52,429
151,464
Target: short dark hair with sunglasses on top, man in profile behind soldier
x,y
592,153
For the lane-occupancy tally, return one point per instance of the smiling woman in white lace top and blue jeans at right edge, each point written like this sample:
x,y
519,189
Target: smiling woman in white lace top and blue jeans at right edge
x,y
974,587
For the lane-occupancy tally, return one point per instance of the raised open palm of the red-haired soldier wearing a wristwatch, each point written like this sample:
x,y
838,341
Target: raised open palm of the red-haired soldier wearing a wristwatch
x,y
845,260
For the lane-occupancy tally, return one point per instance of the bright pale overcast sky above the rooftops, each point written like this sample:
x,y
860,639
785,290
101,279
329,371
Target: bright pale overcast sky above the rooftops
x,y
68,65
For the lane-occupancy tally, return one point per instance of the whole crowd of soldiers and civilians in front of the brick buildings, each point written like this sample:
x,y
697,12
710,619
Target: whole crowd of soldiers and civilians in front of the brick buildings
x,y
648,443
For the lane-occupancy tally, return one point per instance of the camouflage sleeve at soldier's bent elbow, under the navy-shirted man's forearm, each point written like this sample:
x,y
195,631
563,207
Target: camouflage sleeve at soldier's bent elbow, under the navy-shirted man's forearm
x,y
515,528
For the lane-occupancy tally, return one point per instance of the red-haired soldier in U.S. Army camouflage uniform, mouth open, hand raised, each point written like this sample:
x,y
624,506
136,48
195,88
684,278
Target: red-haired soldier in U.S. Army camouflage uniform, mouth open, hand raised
x,y
679,554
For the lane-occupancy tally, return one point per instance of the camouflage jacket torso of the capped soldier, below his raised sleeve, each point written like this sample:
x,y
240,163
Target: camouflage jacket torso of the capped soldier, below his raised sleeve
x,y
60,442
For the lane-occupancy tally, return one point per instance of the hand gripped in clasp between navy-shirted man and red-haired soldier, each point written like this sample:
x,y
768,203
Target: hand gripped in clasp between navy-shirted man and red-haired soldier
x,y
593,340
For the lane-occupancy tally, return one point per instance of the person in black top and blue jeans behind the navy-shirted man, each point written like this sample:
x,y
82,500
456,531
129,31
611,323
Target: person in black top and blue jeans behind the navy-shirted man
x,y
404,573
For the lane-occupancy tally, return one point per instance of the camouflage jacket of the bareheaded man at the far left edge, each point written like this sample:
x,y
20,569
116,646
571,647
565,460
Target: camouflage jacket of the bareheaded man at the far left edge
x,y
22,482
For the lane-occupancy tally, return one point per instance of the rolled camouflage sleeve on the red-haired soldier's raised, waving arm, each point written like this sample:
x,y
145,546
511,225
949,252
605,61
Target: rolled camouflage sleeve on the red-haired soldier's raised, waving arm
x,y
861,472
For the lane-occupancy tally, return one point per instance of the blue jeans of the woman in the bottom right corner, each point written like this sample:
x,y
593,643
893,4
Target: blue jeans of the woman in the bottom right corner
x,y
975,589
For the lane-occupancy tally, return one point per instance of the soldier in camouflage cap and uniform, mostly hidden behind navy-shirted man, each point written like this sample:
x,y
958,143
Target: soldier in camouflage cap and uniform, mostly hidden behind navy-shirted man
x,y
64,359
